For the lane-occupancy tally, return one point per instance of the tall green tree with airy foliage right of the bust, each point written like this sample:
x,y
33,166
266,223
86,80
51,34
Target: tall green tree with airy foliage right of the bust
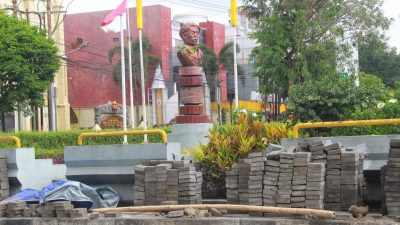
x,y
297,39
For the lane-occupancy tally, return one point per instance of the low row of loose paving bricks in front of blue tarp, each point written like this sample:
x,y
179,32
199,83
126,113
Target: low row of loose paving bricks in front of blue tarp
x,y
58,209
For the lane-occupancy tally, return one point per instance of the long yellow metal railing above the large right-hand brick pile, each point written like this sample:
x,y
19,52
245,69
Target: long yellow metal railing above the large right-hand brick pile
x,y
343,124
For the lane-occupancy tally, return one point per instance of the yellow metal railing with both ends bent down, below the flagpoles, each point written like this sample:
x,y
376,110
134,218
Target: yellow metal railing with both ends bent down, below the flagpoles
x,y
121,133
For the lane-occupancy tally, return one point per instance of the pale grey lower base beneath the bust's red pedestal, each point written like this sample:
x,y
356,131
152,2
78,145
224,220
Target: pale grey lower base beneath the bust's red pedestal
x,y
190,135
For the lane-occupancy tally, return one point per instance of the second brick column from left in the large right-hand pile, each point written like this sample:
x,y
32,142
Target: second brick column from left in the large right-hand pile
x,y
243,181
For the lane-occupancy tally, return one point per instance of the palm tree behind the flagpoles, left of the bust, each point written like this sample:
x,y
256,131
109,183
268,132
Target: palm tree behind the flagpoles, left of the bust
x,y
147,60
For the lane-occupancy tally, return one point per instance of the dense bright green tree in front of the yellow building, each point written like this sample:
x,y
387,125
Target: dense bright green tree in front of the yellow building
x,y
28,62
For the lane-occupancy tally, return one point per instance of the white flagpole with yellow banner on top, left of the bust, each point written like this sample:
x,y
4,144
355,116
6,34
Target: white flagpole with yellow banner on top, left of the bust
x,y
139,24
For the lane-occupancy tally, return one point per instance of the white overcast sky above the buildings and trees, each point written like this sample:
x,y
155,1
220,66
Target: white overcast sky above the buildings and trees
x,y
217,11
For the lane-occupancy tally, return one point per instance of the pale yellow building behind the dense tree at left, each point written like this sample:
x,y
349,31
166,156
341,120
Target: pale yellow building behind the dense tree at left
x,y
35,12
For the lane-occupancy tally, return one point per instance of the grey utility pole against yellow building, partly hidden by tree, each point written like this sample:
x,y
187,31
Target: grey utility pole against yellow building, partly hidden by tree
x,y
51,93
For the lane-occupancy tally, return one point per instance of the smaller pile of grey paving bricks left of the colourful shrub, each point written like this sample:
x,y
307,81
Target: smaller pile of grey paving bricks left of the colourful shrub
x,y
159,181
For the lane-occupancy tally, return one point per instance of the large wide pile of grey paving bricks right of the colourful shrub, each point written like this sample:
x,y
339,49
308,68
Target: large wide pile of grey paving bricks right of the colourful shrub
x,y
313,175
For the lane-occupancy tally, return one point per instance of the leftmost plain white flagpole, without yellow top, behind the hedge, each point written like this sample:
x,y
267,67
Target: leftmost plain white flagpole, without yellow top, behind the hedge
x,y
123,80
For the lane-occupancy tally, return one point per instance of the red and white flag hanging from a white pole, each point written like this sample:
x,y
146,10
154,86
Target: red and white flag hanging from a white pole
x,y
112,23
